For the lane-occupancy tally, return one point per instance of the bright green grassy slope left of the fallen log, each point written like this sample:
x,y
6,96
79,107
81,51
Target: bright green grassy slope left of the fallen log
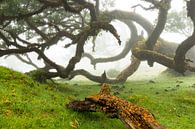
x,y
25,104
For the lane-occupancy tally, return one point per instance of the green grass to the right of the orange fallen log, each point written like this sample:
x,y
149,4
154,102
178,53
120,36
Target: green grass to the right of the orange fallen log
x,y
172,100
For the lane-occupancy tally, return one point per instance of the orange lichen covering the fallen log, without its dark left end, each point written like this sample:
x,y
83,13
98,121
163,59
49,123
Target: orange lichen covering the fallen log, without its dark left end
x,y
131,114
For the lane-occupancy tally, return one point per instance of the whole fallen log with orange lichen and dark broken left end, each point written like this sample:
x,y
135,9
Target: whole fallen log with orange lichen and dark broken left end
x,y
133,116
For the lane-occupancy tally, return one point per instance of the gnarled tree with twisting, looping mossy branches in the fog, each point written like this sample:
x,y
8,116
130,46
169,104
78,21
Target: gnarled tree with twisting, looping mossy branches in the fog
x,y
38,29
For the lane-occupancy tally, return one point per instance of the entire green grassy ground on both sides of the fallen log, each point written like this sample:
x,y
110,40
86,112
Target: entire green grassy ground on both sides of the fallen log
x,y
25,104
